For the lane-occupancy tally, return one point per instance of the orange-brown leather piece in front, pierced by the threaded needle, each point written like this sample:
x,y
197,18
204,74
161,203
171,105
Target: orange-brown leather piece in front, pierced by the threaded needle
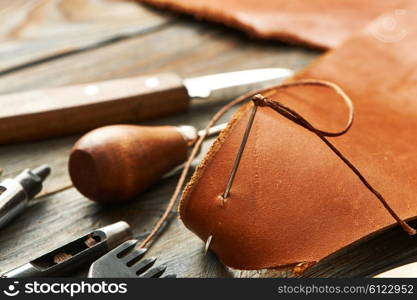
x,y
293,200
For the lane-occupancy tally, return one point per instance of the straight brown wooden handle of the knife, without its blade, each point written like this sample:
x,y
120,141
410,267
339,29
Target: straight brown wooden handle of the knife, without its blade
x,y
61,111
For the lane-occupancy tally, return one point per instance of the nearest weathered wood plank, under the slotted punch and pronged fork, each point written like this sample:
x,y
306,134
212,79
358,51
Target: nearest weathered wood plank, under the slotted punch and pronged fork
x,y
51,221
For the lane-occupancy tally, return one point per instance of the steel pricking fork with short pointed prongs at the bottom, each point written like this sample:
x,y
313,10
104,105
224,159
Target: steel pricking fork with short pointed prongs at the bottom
x,y
125,261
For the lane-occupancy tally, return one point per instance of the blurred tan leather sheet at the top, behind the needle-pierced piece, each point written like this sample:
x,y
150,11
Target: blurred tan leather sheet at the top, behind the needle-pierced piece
x,y
316,23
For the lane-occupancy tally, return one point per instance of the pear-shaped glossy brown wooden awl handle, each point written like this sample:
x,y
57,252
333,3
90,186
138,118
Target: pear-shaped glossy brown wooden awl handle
x,y
115,163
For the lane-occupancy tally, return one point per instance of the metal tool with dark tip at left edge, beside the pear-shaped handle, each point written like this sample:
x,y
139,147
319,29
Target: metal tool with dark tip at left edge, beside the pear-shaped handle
x,y
15,193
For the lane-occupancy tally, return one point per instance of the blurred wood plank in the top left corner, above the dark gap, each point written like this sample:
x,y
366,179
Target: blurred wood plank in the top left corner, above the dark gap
x,y
34,30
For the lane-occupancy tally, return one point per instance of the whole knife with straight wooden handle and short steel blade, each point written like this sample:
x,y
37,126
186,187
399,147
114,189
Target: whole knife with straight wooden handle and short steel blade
x,y
39,114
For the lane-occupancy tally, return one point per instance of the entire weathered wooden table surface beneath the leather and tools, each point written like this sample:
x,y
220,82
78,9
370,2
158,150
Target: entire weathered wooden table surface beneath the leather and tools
x,y
49,43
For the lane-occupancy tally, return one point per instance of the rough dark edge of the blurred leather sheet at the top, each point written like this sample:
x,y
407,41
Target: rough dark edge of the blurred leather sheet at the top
x,y
221,18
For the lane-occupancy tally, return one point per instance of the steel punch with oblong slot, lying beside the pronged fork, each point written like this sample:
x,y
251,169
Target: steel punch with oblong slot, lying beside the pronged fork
x,y
74,255
